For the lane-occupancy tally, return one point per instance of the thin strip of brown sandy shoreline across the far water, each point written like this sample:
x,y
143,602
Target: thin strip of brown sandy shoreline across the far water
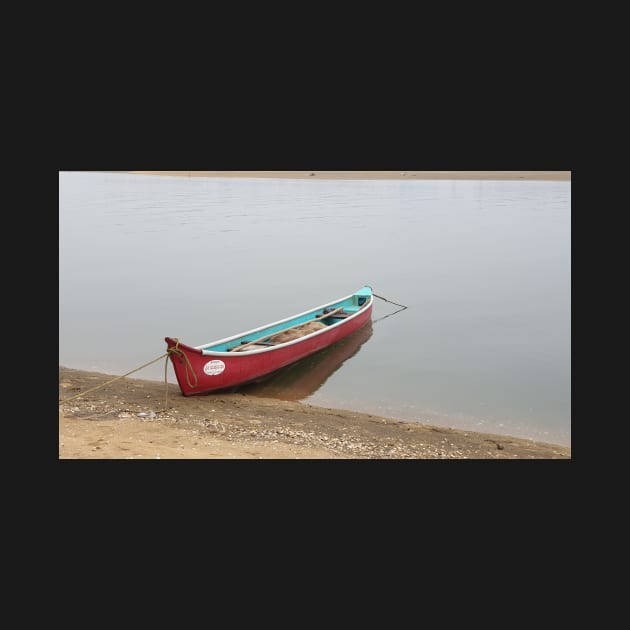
x,y
489,175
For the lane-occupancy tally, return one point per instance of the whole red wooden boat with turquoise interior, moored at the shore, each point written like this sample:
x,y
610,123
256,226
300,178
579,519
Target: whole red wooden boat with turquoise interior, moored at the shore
x,y
248,356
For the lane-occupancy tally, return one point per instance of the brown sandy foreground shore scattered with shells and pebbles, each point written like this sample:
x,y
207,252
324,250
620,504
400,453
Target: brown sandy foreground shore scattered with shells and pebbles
x,y
128,419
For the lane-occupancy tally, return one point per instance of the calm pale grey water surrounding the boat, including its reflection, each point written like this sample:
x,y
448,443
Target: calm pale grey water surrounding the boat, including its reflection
x,y
483,266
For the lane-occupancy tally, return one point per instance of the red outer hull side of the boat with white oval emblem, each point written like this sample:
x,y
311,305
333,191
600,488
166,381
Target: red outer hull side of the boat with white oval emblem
x,y
200,372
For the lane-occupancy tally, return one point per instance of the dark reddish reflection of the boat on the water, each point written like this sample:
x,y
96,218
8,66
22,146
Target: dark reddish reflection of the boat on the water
x,y
305,377
